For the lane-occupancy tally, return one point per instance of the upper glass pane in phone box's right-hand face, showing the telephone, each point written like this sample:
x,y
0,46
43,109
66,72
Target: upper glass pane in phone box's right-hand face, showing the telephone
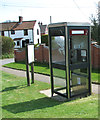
x,y
78,48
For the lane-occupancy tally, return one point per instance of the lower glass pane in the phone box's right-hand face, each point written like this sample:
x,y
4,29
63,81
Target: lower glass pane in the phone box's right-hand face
x,y
79,81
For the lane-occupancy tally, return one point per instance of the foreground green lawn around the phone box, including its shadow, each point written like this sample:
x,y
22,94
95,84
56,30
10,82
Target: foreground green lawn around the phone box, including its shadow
x,y
20,101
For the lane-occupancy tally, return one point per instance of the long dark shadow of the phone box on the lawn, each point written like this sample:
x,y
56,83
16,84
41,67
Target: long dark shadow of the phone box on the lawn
x,y
40,103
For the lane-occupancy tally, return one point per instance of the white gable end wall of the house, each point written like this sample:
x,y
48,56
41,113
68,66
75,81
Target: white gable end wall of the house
x,y
36,37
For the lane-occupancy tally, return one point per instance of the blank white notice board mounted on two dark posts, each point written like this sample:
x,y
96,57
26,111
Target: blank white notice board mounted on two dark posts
x,y
30,53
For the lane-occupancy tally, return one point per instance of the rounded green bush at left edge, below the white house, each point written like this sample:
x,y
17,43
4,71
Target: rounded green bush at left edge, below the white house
x,y
7,45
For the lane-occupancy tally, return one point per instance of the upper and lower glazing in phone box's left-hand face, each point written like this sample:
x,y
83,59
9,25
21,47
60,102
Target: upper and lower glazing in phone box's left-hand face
x,y
58,58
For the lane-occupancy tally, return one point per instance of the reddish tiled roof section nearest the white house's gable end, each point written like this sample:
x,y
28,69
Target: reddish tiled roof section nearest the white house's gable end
x,y
25,25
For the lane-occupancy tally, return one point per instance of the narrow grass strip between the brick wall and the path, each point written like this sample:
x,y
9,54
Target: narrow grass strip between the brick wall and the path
x,y
44,69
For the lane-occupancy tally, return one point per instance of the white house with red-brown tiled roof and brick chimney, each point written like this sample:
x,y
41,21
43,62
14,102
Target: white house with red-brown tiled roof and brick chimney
x,y
22,32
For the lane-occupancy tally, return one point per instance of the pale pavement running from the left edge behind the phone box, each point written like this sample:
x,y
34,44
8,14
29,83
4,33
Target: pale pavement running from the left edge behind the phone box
x,y
39,77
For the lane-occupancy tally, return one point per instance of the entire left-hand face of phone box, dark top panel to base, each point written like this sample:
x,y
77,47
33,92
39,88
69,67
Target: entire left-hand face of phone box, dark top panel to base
x,y
57,45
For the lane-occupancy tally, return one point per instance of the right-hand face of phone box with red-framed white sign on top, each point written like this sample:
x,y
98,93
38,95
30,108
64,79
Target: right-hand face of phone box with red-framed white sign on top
x,y
79,61
